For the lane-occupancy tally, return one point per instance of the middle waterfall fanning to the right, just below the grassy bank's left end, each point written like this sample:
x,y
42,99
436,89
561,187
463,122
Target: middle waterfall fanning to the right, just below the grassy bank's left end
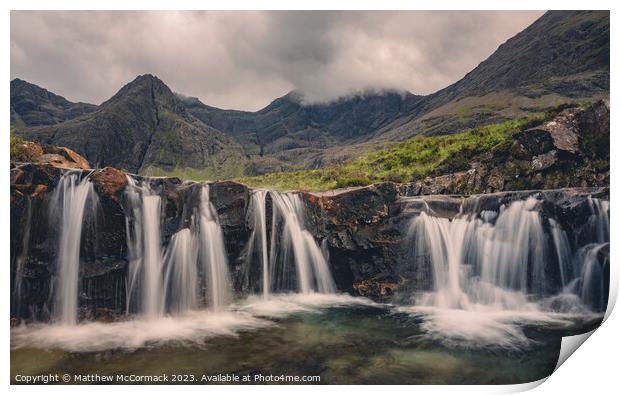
x,y
296,244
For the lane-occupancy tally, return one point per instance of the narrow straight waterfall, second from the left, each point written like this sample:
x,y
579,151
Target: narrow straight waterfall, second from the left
x,y
144,249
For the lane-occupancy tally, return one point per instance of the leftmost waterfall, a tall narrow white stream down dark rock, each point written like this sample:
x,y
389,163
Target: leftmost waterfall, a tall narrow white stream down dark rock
x,y
68,202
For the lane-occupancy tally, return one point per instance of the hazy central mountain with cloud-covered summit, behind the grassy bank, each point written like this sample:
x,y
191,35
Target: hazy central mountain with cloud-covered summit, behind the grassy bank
x,y
289,130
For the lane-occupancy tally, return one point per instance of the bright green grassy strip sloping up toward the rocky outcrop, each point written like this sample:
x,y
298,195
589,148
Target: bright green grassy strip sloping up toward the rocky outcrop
x,y
406,161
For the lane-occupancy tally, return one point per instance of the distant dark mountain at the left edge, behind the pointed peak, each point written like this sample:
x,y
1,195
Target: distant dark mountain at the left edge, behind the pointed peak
x,y
33,106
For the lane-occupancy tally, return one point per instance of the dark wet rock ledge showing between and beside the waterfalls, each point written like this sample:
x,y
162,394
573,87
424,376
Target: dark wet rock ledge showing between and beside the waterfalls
x,y
363,230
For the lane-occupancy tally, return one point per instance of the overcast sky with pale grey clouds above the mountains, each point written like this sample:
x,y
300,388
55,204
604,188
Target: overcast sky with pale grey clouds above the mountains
x,y
243,60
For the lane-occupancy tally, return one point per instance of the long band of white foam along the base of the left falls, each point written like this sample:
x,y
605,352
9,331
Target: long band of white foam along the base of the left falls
x,y
190,327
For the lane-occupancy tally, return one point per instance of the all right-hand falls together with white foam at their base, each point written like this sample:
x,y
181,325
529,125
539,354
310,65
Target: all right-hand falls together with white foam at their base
x,y
486,268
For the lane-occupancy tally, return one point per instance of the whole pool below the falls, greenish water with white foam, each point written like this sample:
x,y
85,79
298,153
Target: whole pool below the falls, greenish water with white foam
x,y
342,341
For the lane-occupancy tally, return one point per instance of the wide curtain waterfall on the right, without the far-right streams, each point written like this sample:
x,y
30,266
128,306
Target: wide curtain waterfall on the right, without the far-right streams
x,y
475,261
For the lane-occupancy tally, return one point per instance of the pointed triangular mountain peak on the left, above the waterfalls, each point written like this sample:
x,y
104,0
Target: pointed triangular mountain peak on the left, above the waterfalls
x,y
145,128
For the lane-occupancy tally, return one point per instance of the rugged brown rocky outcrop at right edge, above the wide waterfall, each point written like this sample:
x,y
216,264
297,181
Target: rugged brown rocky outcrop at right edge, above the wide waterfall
x,y
572,150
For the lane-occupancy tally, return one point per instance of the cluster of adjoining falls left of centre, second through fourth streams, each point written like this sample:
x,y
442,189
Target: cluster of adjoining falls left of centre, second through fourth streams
x,y
171,281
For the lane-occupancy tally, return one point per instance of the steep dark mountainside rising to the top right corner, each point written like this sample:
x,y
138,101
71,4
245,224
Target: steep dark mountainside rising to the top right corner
x,y
562,57
